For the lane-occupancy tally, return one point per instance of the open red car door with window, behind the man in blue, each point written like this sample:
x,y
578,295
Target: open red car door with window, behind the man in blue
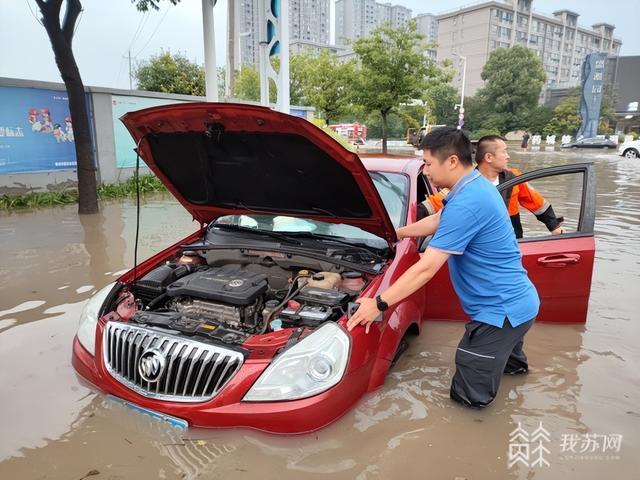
x,y
560,266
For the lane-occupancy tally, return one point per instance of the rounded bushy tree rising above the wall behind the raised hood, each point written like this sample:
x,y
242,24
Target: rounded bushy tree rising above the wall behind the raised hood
x,y
171,74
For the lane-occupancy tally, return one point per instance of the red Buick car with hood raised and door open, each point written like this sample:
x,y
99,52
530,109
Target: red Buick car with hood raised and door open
x,y
242,324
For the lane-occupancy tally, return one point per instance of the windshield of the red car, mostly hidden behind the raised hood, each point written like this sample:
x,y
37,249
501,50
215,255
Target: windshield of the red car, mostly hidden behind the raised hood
x,y
392,188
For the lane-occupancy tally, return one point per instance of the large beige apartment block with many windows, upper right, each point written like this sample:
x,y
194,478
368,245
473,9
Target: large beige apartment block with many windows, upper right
x,y
558,40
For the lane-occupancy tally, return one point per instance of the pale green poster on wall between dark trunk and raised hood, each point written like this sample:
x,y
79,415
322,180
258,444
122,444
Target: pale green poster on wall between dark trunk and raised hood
x,y
125,154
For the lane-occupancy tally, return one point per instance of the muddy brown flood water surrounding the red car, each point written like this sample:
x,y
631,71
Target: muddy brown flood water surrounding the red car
x,y
583,388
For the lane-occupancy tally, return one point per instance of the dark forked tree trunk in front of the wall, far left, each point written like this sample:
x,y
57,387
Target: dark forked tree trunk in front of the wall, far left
x,y
61,37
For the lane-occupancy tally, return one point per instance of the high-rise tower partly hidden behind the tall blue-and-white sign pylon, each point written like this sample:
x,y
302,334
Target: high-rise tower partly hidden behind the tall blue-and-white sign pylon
x,y
309,23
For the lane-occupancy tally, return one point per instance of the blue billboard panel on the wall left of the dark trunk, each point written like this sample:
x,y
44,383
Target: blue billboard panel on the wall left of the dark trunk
x,y
36,132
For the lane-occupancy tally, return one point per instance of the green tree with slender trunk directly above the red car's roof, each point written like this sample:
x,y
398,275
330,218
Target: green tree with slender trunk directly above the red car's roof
x,y
393,70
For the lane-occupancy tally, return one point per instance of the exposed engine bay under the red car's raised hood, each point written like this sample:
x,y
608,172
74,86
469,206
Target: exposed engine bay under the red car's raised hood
x,y
229,297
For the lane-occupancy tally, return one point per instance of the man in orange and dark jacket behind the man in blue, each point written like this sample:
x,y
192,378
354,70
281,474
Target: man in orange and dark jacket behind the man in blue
x,y
492,159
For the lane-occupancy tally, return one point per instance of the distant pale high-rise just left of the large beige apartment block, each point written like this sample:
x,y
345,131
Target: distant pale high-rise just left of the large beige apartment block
x,y
358,18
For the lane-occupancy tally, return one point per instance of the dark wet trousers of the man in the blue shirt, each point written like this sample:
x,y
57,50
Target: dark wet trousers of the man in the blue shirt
x,y
484,354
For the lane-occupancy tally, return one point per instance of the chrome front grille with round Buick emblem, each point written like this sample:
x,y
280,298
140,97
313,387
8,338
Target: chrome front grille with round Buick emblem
x,y
166,367
